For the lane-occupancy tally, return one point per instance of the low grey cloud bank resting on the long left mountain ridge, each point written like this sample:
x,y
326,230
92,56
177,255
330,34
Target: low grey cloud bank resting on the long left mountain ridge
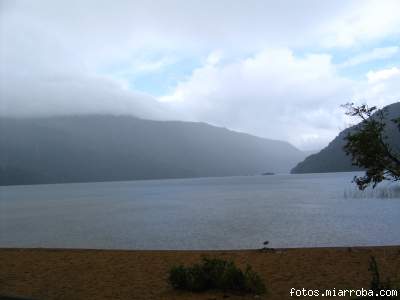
x,y
41,76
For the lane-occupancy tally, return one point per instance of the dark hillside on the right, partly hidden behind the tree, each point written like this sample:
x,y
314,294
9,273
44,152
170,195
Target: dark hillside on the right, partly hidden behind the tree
x,y
333,158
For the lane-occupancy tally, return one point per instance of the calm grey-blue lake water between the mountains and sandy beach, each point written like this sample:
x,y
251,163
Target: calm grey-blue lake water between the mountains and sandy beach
x,y
205,213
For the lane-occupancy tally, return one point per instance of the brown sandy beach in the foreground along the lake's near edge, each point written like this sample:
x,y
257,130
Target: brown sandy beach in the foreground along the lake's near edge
x,y
46,274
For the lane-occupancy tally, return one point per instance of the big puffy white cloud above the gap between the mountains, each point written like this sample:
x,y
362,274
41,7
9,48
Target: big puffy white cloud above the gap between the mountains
x,y
272,94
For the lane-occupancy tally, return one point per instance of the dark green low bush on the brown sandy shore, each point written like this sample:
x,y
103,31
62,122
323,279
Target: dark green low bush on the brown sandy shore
x,y
216,274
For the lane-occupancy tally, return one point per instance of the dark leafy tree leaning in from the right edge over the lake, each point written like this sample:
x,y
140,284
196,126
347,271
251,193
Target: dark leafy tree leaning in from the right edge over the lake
x,y
369,148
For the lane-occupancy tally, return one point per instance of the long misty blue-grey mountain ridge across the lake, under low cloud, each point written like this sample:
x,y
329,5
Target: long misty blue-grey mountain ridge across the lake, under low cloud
x,y
107,148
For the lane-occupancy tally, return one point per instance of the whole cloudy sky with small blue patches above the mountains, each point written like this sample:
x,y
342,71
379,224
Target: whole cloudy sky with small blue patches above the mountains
x,y
276,69
